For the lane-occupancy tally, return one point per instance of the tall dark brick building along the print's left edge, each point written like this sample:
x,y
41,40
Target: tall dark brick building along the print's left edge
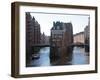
x,y
32,34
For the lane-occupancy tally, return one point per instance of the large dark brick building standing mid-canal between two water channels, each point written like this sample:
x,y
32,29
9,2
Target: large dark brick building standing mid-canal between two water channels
x,y
61,38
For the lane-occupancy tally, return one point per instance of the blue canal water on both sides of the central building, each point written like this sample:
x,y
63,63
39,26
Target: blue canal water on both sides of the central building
x,y
79,57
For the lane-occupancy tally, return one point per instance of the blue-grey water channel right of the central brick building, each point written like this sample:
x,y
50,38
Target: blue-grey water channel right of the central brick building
x,y
79,56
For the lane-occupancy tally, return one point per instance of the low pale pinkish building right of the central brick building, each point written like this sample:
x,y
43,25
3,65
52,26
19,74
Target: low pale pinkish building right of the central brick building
x,y
79,37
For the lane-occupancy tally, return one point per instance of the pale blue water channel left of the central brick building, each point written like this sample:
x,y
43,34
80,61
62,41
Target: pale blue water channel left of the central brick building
x,y
44,58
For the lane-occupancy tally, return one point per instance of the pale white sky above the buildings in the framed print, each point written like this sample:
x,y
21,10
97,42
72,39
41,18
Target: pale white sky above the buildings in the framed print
x,y
46,20
